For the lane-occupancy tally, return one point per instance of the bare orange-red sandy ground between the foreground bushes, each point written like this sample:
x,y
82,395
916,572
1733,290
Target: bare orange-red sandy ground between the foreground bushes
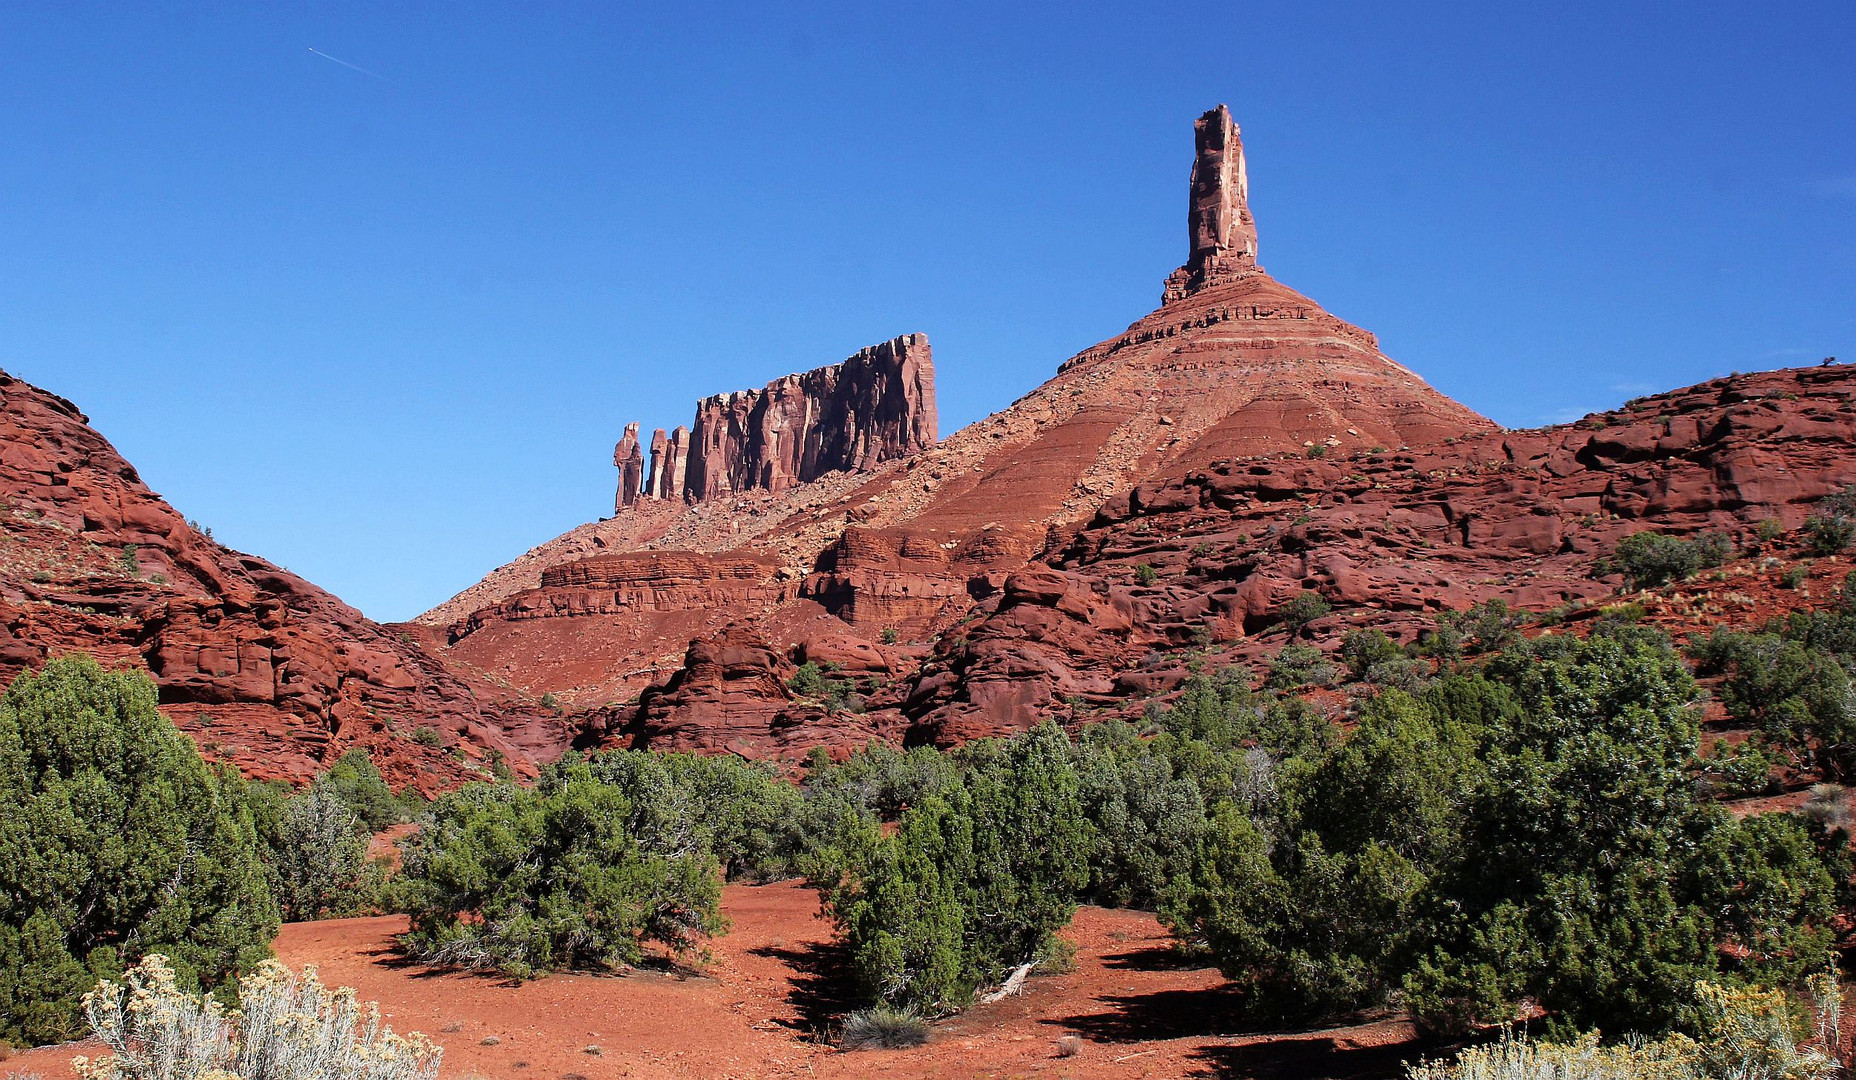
x,y
775,983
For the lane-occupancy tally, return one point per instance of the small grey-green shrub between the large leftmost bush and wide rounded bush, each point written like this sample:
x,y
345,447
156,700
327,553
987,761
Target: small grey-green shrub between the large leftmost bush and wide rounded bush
x,y
320,858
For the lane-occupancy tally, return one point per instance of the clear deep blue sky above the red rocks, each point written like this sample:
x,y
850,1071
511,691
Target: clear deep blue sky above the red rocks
x,y
385,326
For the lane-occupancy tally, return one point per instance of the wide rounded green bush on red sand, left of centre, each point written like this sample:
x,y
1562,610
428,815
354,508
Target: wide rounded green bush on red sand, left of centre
x,y
569,875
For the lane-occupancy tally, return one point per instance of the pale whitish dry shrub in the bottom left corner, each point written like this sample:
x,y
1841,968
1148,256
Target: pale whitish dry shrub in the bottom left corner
x,y
289,1027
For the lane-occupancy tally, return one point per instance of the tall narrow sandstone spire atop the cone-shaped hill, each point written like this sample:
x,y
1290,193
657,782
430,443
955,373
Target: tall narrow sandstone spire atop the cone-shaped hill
x,y
1218,212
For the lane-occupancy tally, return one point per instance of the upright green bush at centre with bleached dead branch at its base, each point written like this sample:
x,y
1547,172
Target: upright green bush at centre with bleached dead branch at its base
x,y
972,882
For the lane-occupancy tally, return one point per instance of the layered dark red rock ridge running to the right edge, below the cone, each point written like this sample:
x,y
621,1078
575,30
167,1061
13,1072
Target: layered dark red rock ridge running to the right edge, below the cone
x,y
1387,539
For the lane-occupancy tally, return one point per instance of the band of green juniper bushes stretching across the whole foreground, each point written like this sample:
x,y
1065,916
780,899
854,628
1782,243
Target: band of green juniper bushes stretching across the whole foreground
x,y
1504,825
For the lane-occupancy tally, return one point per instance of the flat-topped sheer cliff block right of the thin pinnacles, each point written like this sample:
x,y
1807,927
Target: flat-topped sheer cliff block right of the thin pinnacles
x,y
851,417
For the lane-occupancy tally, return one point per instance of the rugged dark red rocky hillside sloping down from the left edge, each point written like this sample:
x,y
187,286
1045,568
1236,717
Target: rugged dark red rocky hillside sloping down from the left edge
x,y
257,665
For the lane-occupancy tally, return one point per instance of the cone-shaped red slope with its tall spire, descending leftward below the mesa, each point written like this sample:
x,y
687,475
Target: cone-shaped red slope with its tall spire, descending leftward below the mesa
x,y
1231,365
